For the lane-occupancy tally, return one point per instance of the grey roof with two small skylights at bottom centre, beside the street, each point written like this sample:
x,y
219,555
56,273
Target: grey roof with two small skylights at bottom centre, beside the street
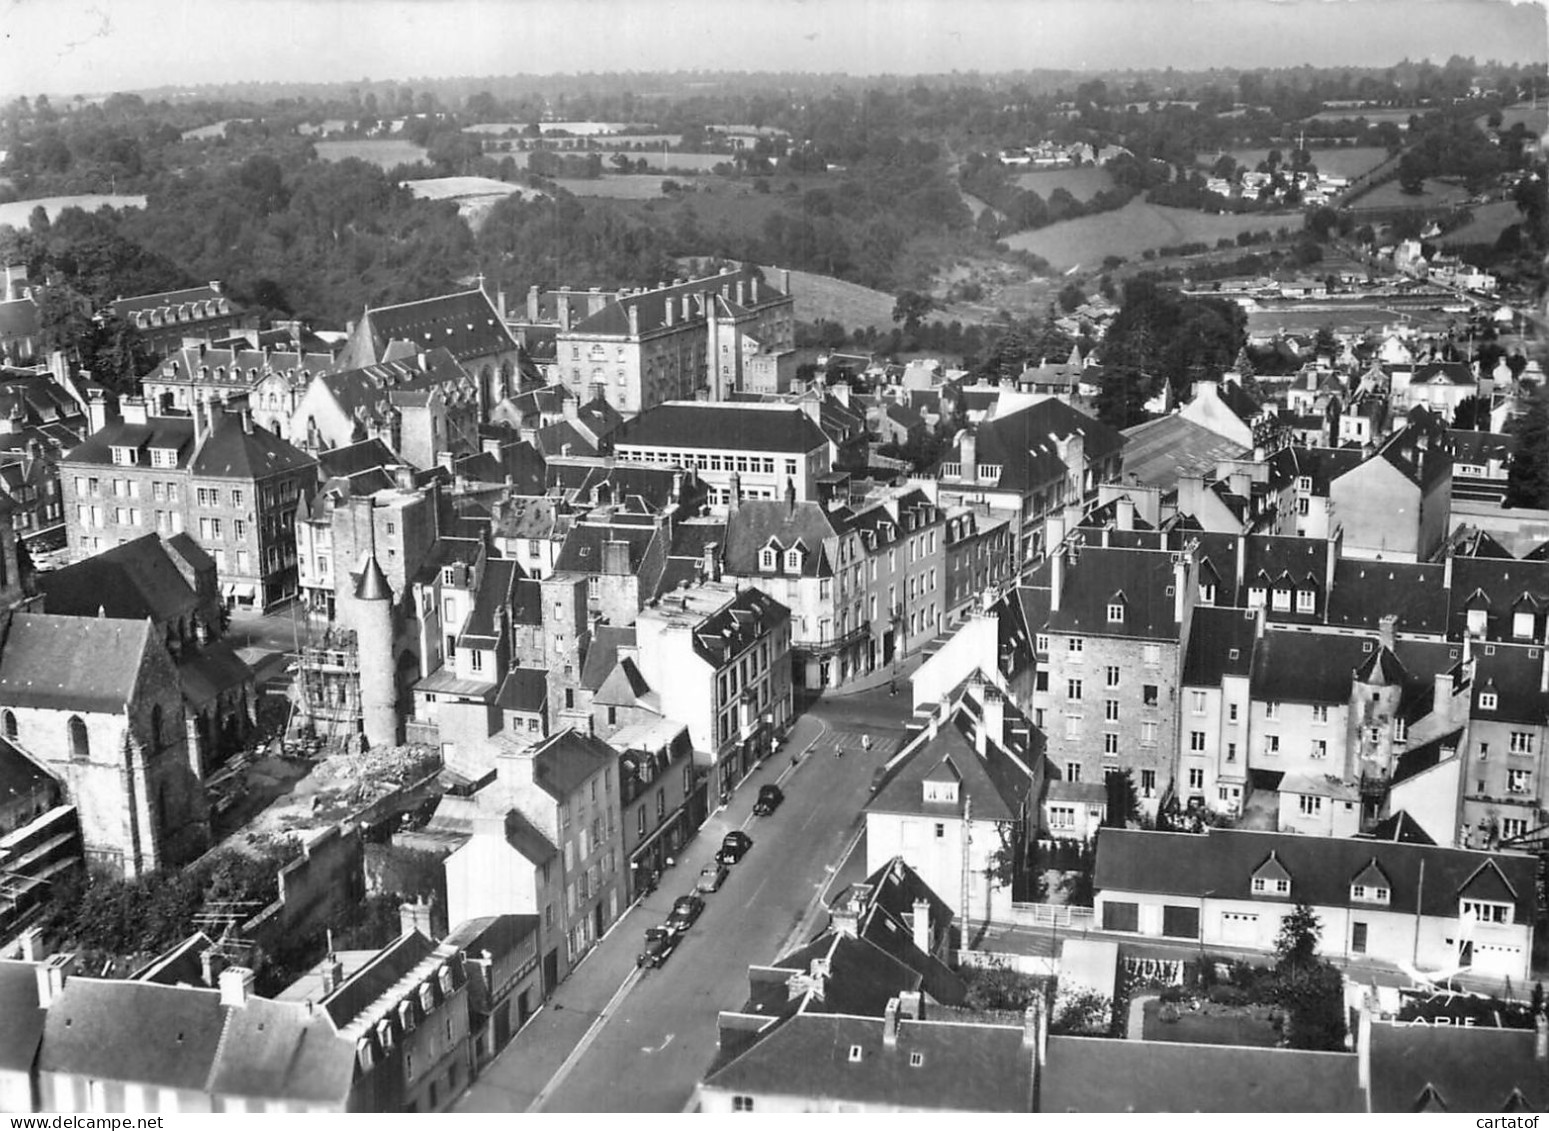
x,y
963,1067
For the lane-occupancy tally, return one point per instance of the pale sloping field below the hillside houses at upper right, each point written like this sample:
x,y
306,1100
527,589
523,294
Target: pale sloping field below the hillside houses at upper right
x,y
1138,227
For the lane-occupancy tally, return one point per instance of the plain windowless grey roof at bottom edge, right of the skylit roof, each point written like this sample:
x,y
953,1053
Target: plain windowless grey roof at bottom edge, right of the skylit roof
x,y
1101,1074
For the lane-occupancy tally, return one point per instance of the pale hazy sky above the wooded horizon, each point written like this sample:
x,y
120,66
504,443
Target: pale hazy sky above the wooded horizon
x,y
95,47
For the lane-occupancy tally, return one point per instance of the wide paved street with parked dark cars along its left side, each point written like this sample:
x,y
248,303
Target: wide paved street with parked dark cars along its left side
x,y
616,1039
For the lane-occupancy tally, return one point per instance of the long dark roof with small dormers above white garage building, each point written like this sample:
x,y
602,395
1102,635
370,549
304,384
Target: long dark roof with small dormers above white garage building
x,y
1223,864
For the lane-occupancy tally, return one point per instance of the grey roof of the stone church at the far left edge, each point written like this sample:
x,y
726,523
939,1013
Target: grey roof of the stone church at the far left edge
x,y
57,662
